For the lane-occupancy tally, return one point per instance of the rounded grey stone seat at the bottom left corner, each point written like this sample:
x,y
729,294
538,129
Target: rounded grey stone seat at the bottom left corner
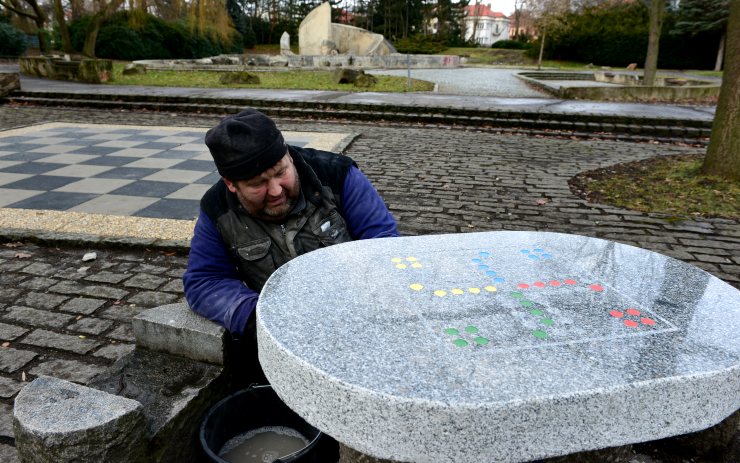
x,y
56,420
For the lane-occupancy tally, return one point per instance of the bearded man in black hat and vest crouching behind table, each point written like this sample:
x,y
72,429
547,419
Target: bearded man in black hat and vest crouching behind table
x,y
273,203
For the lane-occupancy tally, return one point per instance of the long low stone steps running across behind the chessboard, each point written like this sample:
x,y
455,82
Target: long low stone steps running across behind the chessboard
x,y
580,125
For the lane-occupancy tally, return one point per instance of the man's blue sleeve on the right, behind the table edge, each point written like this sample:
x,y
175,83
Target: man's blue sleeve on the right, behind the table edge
x,y
363,209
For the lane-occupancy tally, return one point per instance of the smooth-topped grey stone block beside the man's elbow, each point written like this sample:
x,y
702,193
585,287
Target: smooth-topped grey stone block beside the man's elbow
x,y
177,330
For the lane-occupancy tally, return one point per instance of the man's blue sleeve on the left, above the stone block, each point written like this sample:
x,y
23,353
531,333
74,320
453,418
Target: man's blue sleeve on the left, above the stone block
x,y
212,285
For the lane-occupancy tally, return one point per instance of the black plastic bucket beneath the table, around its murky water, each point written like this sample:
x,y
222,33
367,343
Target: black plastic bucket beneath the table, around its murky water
x,y
253,408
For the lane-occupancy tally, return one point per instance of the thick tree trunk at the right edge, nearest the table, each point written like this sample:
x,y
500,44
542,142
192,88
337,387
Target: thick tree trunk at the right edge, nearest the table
x,y
723,153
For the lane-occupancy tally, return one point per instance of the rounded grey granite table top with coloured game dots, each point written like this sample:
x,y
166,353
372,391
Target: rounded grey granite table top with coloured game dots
x,y
499,346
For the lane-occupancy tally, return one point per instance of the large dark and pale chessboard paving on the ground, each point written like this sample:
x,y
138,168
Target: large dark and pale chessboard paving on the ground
x,y
154,172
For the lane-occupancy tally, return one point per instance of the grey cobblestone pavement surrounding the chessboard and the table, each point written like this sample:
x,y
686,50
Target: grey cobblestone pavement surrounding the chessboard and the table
x,y
64,317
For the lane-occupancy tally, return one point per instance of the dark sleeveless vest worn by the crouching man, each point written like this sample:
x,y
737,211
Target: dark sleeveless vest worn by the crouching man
x,y
258,248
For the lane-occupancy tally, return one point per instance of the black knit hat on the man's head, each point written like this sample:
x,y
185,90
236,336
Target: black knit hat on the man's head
x,y
245,145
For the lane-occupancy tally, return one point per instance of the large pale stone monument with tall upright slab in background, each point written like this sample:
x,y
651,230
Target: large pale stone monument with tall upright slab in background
x,y
317,34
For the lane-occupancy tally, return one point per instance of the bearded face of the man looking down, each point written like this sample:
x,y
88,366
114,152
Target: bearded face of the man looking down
x,y
272,194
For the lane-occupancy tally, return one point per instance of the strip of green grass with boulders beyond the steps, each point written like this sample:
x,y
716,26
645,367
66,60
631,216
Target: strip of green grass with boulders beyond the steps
x,y
290,79
